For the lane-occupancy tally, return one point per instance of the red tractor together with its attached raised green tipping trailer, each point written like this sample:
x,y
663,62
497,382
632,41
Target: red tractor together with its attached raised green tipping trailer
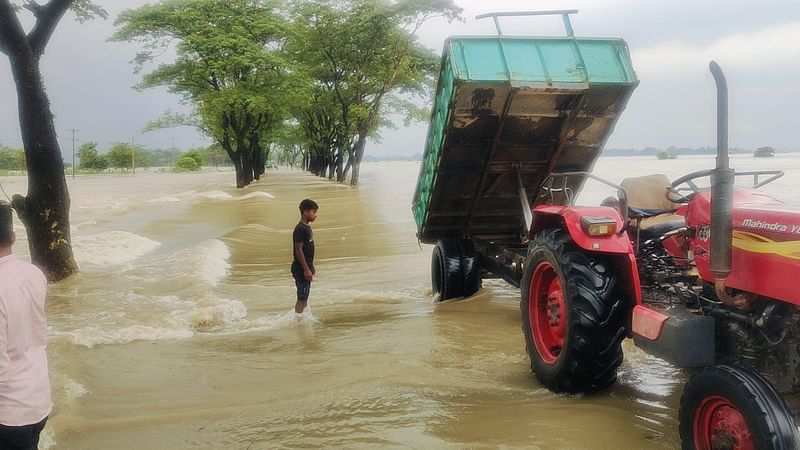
x,y
697,271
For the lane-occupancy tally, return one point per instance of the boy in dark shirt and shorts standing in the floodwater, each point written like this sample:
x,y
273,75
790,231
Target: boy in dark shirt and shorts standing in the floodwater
x,y
303,248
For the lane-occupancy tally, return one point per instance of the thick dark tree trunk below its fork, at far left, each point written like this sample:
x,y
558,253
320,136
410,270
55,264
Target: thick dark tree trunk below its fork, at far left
x,y
45,210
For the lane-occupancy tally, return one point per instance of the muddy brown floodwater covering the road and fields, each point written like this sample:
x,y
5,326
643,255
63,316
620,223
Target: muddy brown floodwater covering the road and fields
x,y
178,333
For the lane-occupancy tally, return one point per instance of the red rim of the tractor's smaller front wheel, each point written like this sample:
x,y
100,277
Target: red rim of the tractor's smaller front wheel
x,y
719,424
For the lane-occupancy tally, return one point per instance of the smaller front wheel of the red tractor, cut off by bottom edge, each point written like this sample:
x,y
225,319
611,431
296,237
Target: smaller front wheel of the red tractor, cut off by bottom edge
x,y
734,408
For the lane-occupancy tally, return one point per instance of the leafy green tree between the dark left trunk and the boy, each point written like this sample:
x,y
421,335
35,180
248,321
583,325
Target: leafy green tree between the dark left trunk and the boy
x,y
228,67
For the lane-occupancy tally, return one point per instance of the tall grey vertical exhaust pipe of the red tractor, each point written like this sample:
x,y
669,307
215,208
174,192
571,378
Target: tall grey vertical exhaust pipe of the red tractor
x,y
721,192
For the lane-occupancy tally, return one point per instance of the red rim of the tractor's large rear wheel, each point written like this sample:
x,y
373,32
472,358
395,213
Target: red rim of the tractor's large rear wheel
x,y
547,312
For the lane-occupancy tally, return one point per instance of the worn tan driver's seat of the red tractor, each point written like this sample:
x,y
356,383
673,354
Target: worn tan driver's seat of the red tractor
x,y
647,199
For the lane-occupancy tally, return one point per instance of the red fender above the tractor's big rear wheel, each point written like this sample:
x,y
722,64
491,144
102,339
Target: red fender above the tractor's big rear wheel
x,y
618,245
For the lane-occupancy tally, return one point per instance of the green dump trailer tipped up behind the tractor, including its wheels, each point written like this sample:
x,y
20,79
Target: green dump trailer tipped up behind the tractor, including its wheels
x,y
509,111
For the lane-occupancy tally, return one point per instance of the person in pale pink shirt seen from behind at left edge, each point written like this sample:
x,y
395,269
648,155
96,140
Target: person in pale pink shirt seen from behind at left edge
x,y
24,382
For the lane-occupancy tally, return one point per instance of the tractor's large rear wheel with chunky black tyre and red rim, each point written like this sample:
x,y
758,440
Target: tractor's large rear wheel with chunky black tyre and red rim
x,y
572,315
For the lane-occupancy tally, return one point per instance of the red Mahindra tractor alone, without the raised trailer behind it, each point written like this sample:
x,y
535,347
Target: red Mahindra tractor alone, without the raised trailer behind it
x,y
699,276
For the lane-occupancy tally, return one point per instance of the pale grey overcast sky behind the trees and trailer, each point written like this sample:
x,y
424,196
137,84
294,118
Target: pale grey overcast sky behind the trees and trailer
x,y
757,43
